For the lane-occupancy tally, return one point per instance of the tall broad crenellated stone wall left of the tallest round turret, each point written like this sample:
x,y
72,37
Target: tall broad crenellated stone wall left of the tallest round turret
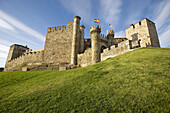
x,y
58,44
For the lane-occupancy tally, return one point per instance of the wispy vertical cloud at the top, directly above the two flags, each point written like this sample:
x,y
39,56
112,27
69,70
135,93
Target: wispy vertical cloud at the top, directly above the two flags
x,y
109,11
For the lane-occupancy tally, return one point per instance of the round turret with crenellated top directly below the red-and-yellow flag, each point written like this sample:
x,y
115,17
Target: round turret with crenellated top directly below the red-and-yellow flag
x,y
94,33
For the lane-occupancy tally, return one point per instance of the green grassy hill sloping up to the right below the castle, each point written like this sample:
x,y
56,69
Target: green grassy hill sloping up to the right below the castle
x,y
137,81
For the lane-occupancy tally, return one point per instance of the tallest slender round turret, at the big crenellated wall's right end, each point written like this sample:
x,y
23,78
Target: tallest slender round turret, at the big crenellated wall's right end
x,y
75,39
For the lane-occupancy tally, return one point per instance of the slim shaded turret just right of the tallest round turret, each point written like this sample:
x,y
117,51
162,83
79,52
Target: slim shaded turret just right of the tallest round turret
x,y
82,39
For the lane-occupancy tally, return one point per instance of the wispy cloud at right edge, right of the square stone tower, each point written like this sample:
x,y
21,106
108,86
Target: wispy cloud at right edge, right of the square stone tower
x,y
162,20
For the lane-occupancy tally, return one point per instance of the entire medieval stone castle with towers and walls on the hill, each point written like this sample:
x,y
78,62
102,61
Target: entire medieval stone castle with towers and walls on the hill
x,y
66,48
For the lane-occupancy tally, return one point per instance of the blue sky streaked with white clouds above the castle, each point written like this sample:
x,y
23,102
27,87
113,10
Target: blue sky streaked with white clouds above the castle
x,y
25,22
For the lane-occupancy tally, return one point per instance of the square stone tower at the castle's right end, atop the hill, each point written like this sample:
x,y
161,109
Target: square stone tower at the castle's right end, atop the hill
x,y
145,31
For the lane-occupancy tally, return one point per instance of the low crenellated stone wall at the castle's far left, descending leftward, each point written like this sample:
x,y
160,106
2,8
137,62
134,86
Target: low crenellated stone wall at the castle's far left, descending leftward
x,y
24,59
